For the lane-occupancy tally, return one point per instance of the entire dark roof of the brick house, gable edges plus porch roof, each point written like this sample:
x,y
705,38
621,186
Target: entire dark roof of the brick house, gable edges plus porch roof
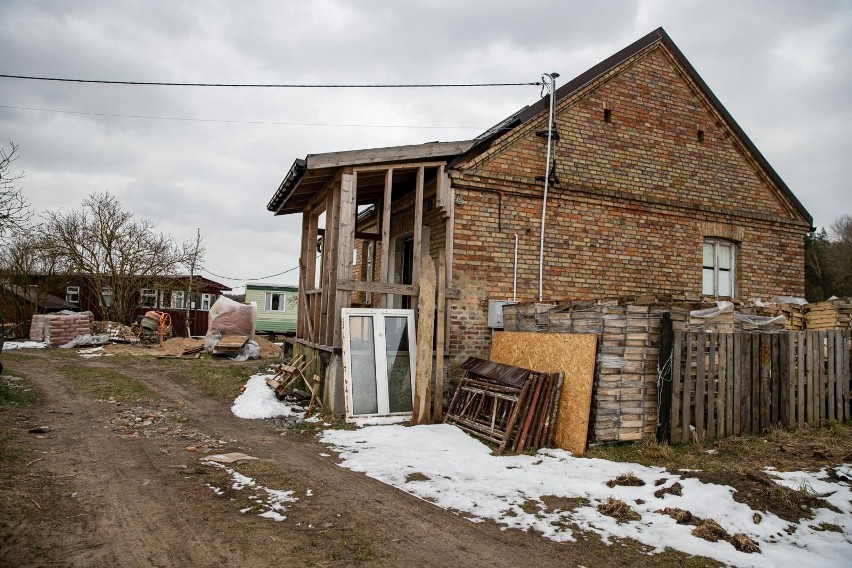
x,y
295,190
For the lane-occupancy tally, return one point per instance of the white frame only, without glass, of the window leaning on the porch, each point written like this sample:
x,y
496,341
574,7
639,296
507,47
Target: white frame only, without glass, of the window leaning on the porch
x,y
380,347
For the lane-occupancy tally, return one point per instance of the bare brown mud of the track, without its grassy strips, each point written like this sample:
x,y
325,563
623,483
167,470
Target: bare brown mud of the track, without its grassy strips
x,y
133,501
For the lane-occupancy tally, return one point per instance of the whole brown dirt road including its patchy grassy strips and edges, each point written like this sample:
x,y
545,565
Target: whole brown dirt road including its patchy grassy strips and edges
x,y
118,481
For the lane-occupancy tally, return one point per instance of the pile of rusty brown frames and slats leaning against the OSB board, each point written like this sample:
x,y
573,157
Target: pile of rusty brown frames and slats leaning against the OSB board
x,y
509,406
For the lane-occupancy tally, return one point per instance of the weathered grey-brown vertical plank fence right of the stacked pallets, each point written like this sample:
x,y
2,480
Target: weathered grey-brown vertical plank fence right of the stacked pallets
x,y
744,383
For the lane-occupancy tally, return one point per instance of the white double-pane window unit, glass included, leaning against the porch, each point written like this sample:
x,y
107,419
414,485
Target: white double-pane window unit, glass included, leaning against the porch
x,y
378,355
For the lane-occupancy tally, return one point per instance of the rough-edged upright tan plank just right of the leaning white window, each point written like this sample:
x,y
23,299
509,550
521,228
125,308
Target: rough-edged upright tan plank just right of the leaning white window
x,y
425,333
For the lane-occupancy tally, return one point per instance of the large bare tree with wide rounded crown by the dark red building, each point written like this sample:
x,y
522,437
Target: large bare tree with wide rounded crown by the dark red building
x,y
115,254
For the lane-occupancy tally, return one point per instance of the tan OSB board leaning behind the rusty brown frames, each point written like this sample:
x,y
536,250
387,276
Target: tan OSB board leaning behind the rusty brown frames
x,y
570,353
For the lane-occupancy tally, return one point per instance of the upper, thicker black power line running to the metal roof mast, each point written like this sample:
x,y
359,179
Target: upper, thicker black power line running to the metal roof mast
x,y
274,85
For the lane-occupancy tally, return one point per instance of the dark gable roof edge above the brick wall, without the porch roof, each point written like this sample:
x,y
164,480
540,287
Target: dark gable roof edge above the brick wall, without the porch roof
x,y
528,113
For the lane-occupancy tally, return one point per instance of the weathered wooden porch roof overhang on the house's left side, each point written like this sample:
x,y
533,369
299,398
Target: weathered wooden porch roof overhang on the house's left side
x,y
307,177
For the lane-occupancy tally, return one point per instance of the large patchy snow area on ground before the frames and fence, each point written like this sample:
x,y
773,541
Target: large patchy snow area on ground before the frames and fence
x,y
458,472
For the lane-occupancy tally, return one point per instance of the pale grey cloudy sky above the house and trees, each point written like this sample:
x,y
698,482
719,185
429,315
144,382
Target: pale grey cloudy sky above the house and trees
x,y
214,156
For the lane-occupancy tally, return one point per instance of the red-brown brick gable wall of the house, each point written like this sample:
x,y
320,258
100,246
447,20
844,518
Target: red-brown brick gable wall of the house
x,y
635,199
